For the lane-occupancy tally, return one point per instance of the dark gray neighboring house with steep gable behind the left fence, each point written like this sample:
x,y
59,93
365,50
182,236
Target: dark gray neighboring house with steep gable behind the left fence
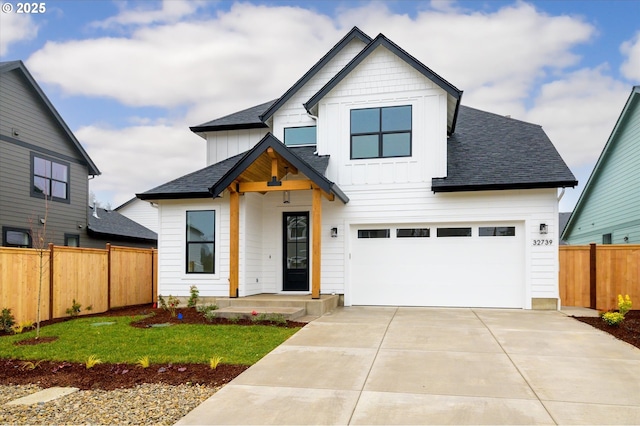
x,y
39,154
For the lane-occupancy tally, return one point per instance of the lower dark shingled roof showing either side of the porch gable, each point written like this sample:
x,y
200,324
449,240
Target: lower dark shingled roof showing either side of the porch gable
x,y
197,184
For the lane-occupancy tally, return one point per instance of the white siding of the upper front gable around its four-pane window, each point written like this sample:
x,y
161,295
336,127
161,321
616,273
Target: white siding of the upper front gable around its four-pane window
x,y
384,80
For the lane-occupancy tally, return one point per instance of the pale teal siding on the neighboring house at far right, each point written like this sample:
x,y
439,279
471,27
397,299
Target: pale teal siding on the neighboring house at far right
x,y
613,201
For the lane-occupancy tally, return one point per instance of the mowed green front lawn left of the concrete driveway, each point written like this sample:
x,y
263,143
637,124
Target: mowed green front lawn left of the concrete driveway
x,y
120,343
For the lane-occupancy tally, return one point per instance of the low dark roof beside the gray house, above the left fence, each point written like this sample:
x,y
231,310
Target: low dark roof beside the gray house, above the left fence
x,y
113,224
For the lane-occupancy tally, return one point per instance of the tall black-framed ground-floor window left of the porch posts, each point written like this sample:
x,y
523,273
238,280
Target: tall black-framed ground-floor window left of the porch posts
x,y
200,241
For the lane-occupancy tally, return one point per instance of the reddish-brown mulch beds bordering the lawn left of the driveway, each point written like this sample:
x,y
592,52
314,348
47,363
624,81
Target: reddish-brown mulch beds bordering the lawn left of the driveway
x,y
114,376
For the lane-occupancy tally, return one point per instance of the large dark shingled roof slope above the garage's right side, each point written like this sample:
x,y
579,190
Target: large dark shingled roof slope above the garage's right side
x,y
492,152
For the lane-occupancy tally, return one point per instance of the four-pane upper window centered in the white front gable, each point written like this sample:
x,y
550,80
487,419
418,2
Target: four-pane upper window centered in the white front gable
x,y
381,132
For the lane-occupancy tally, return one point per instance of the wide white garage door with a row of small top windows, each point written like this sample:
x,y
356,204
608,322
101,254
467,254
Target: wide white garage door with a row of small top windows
x,y
469,265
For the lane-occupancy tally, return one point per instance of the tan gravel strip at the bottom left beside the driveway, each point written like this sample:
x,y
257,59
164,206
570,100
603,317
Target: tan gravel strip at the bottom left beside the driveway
x,y
147,404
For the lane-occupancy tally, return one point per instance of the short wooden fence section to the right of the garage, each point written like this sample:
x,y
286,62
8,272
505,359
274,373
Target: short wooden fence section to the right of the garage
x,y
593,276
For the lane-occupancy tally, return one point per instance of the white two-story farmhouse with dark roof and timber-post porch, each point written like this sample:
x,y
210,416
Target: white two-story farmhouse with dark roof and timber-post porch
x,y
368,179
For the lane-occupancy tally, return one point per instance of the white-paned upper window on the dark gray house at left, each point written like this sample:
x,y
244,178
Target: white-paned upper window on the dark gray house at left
x,y
50,178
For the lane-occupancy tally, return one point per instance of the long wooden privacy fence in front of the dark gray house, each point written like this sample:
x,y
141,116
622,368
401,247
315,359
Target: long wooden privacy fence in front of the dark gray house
x,y
100,278
